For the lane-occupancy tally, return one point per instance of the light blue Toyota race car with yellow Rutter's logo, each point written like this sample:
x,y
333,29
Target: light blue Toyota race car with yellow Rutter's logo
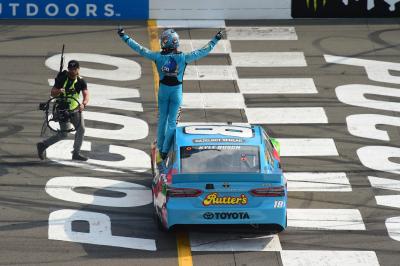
x,y
220,174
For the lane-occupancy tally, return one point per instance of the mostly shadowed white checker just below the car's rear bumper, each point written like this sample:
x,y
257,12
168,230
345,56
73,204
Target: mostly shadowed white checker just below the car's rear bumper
x,y
233,242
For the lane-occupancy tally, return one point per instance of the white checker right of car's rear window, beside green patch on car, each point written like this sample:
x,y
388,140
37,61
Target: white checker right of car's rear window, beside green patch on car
x,y
307,147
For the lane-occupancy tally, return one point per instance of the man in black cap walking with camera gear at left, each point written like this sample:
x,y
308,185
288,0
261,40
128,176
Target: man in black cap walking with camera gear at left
x,y
70,84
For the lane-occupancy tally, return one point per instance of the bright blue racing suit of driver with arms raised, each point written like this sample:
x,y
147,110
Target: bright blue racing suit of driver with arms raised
x,y
171,67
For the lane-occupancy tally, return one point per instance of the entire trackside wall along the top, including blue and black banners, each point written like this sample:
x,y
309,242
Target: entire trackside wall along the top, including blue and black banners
x,y
196,10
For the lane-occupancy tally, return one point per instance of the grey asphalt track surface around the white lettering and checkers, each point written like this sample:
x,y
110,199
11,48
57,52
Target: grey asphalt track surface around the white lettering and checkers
x,y
25,206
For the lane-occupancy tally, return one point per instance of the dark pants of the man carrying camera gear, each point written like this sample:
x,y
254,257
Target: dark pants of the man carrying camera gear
x,y
79,134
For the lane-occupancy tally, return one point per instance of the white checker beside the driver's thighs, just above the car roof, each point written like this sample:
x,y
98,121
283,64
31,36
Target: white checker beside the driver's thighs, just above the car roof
x,y
213,101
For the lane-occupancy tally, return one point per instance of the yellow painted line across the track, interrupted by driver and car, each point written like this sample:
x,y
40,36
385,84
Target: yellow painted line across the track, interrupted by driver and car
x,y
182,238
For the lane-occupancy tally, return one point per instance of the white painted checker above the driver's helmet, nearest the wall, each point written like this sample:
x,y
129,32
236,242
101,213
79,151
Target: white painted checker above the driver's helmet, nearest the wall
x,y
196,23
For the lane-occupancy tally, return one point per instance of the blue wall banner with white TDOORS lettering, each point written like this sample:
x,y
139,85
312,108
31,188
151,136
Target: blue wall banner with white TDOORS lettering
x,y
82,9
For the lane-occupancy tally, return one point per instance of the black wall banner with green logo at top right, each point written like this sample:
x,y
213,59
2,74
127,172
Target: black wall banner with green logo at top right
x,y
345,8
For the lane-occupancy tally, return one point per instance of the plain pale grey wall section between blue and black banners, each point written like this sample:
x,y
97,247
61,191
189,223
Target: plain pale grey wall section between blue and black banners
x,y
220,9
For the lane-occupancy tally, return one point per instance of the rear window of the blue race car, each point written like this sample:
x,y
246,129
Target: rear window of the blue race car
x,y
220,158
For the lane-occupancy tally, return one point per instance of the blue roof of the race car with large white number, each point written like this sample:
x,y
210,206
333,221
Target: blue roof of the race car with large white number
x,y
218,134
